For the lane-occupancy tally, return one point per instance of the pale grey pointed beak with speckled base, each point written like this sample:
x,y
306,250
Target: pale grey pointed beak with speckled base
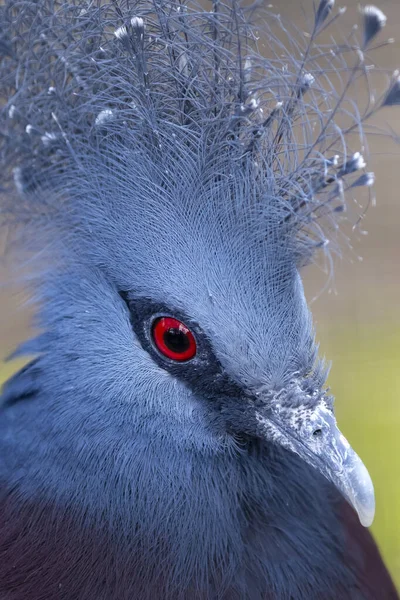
x,y
313,434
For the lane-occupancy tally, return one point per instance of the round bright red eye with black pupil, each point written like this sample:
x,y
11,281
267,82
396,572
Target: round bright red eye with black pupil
x,y
173,339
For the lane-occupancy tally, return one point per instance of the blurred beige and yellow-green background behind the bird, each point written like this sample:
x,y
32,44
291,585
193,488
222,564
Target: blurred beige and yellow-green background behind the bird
x,y
357,321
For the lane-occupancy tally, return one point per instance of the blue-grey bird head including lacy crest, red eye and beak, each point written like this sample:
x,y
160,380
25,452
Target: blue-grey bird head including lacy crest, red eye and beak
x,y
180,180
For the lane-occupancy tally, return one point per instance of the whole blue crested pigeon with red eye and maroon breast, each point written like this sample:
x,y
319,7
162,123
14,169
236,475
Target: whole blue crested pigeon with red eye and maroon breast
x,y
168,171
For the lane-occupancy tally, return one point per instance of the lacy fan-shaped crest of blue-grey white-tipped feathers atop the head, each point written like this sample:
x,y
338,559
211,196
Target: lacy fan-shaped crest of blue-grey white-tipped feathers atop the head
x,y
91,86
